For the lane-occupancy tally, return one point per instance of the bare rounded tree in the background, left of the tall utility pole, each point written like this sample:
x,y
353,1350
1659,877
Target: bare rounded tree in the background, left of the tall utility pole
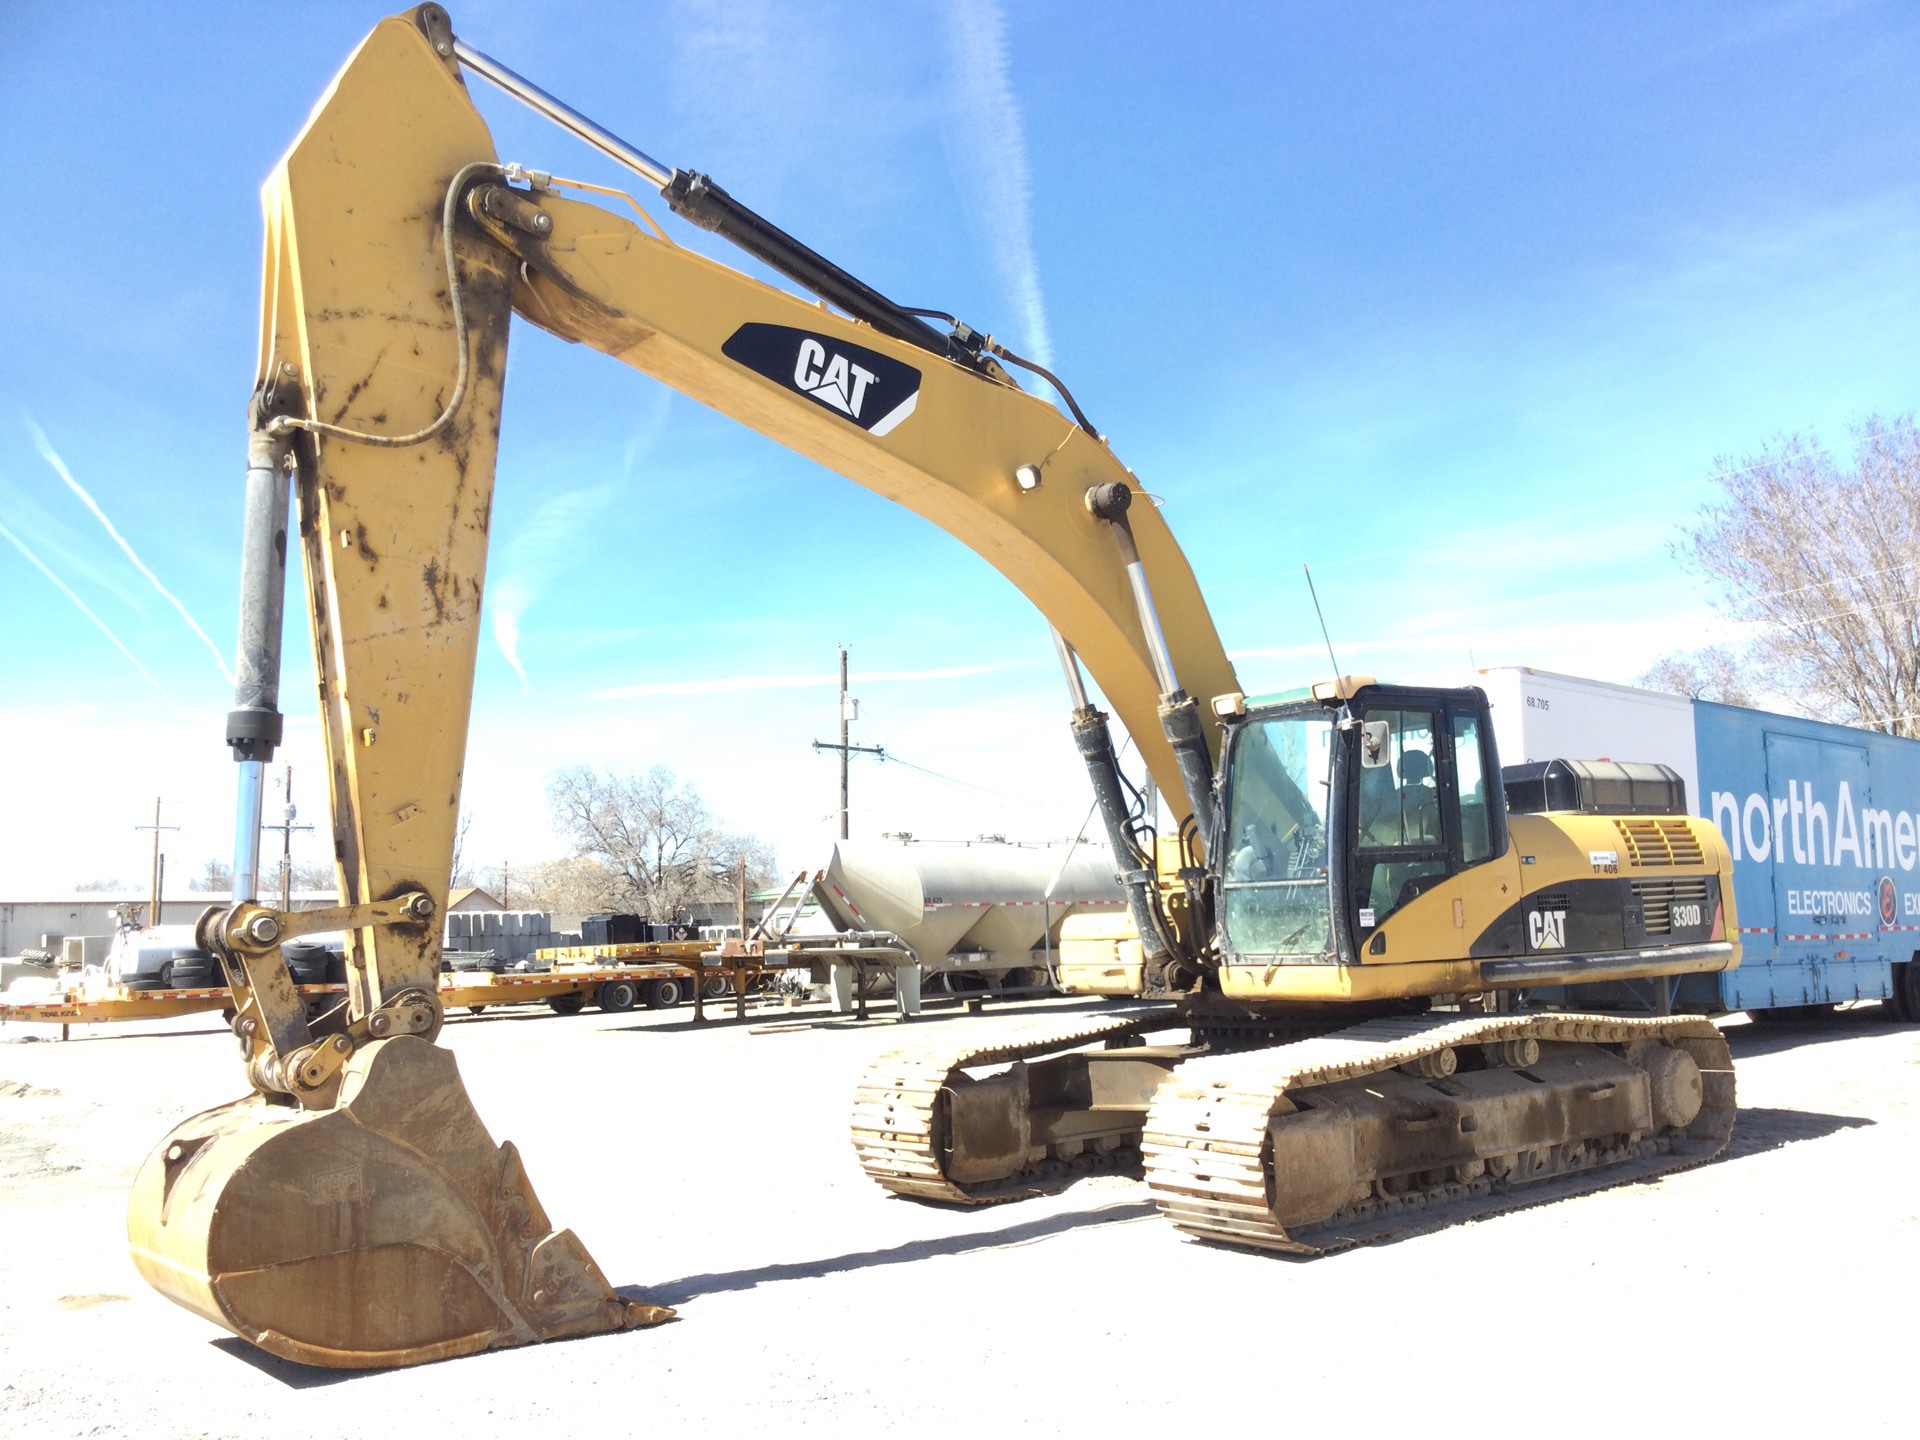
x,y
654,836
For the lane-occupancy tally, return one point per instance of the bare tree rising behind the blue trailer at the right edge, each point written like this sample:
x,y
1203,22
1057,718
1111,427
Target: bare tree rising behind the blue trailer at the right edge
x,y
1825,558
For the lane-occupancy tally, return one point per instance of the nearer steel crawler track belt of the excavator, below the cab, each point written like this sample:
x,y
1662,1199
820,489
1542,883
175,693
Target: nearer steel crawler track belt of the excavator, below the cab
x,y
1211,1159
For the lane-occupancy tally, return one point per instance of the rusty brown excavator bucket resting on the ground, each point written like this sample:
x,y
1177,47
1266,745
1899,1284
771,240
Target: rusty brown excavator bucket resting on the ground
x,y
385,1232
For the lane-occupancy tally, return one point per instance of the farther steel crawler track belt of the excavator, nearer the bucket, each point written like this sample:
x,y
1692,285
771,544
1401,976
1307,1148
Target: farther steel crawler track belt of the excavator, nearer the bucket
x,y
898,1113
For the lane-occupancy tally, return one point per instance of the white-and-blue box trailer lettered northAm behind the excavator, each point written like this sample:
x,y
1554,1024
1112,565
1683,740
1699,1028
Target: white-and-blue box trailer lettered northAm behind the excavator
x,y
1823,825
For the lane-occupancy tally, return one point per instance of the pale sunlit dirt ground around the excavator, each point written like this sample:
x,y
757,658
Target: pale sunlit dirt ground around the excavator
x,y
711,1170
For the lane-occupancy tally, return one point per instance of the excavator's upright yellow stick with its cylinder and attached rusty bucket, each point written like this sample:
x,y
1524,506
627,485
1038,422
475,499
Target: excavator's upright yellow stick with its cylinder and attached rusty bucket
x,y
354,1212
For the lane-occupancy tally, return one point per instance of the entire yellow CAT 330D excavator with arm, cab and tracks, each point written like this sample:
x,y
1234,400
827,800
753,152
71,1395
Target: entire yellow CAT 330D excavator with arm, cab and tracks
x,y
1341,923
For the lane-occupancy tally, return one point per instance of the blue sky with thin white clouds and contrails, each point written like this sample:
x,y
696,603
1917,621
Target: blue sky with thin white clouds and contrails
x,y
1456,302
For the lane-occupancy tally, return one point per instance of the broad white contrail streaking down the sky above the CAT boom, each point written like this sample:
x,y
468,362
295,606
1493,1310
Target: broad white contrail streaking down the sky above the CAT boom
x,y
988,149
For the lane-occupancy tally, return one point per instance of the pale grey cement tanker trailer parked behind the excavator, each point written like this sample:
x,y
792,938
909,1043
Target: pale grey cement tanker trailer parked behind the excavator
x,y
980,915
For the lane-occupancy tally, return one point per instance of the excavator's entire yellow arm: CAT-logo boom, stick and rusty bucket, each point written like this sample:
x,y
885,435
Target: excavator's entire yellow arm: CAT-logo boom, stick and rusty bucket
x,y
354,1211
